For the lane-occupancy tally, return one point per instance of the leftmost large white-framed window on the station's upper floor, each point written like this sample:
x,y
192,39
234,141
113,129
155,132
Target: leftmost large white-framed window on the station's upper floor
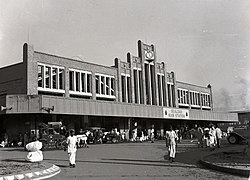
x,y
50,78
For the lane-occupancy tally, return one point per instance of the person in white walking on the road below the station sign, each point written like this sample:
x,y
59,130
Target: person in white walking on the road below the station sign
x,y
172,137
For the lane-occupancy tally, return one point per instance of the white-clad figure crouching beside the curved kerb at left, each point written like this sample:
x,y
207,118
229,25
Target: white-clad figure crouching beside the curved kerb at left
x,y
35,154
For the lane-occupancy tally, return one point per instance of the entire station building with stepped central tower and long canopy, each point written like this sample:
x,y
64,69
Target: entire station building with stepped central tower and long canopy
x,y
136,92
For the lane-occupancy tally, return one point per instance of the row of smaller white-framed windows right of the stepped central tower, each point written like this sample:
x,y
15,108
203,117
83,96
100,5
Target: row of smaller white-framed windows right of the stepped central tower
x,y
196,99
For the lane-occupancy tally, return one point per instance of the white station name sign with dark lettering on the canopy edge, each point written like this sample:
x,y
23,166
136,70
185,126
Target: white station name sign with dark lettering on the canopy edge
x,y
170,113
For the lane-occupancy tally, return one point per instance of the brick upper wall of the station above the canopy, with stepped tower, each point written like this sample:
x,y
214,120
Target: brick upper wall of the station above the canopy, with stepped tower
x,y
151,85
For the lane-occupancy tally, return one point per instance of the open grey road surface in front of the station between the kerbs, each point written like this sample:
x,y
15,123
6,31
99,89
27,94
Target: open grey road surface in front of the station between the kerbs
x,y
134,161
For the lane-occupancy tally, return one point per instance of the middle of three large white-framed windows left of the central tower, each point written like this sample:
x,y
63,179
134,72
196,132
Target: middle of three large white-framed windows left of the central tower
x,y
80,82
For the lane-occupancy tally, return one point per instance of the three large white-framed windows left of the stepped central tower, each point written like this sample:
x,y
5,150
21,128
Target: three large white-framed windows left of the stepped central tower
x,y
52,78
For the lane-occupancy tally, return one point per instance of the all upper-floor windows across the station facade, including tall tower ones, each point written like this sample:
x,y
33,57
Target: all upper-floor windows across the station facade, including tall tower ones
x,y
52,79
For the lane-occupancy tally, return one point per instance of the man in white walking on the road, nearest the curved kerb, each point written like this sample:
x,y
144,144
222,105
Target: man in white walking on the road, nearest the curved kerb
x,y
72,142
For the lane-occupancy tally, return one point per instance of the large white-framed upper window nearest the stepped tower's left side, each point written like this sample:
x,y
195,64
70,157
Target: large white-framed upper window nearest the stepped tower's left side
x,y
105,86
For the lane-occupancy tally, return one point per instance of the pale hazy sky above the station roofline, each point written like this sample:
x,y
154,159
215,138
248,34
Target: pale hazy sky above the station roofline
x,y
202,41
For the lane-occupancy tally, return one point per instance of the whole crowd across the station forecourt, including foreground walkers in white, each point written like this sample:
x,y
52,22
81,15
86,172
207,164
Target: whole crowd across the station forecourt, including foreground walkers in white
x,y
209,137
